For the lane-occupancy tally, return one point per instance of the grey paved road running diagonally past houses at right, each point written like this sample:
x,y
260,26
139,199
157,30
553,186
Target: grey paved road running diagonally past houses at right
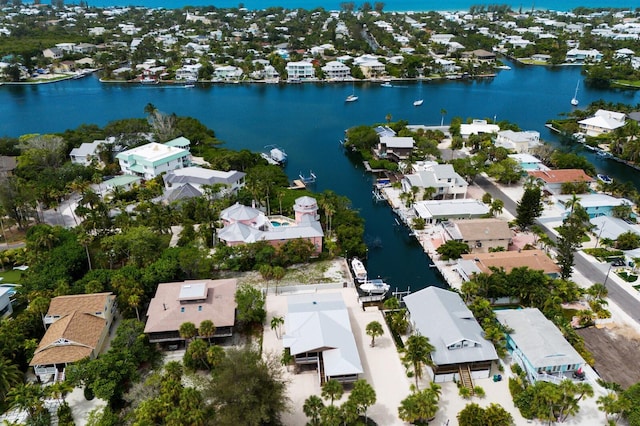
x,y
595,272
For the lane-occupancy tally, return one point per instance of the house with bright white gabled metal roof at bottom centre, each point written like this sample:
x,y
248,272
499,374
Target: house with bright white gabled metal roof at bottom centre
x,y
318,332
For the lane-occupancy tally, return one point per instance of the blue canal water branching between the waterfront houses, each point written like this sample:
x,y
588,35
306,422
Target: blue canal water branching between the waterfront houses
x,y
308,120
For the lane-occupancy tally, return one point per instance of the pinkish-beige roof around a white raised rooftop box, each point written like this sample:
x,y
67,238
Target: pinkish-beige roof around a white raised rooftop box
x,y
166,313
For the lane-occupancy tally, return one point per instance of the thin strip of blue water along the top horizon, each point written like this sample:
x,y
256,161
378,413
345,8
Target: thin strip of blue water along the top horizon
x,y
395,5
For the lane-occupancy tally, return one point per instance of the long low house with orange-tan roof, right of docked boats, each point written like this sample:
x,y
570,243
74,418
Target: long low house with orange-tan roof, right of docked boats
x,y
483,263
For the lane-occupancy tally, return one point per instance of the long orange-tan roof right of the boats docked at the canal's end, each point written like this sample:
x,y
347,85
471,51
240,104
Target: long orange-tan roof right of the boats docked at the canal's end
x,y
508,260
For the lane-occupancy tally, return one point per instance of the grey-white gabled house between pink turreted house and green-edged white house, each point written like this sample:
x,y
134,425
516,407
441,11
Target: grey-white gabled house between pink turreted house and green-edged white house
x,y
198,177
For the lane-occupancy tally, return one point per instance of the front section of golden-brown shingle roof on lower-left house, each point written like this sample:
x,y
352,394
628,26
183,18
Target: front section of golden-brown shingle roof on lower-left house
x,y
79,333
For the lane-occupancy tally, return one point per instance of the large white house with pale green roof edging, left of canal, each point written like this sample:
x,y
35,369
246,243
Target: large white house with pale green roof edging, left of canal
x,y
152,159
